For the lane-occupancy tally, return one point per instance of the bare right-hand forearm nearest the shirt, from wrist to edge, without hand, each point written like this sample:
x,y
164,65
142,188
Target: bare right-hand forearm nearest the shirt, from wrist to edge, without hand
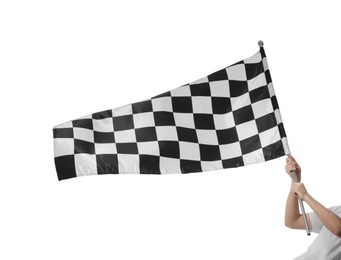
x,y
328,218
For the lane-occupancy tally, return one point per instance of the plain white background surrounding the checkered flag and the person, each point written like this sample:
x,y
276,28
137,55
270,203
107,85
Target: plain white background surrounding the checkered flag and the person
x,y
60,60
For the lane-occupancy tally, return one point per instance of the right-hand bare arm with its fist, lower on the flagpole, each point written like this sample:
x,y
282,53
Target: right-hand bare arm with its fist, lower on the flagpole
x,y
329,219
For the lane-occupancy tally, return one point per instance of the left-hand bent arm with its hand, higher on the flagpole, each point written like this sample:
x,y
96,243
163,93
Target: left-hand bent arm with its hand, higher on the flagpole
x,y
293,218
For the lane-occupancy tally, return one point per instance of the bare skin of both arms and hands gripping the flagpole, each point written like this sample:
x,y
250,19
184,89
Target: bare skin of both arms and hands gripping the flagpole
x,y
293,218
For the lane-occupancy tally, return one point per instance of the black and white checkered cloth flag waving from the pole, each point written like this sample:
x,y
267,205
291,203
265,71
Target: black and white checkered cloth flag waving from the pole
x,y
229,118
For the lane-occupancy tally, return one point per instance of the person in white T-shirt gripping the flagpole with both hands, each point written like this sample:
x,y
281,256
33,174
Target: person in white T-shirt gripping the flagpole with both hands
x,y
325,222
